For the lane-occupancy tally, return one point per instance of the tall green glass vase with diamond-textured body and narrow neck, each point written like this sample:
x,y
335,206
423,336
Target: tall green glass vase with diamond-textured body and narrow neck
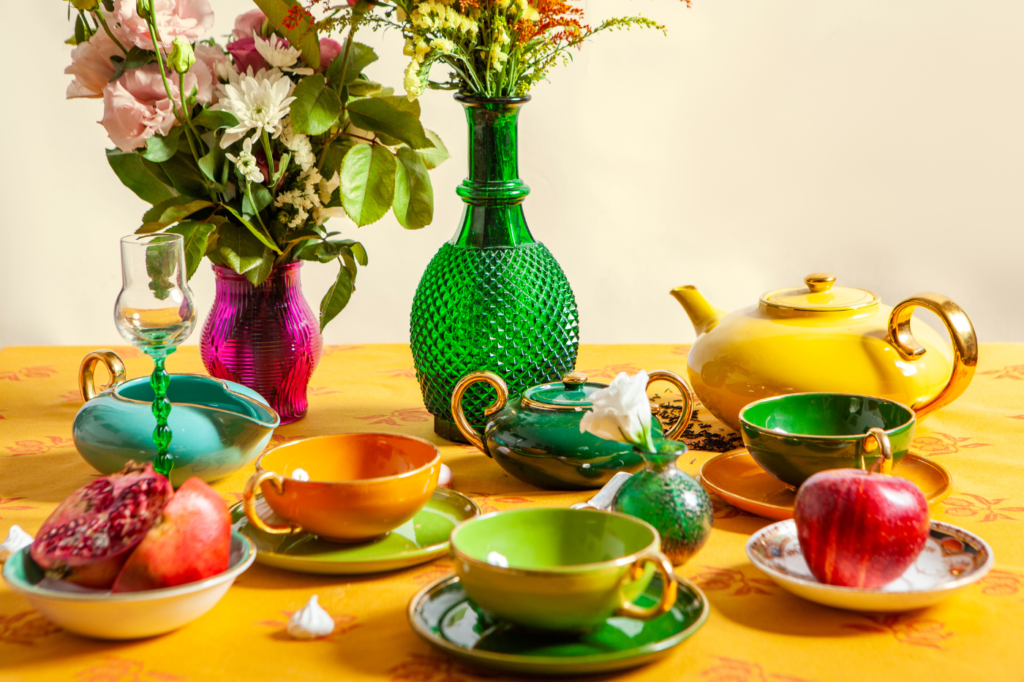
x,y
493,299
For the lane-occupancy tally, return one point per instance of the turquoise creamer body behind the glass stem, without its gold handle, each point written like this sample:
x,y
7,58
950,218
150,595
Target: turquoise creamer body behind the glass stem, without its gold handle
x,y
219,427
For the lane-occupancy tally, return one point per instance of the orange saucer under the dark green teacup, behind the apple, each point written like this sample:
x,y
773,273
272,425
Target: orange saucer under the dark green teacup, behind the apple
x,y
736,478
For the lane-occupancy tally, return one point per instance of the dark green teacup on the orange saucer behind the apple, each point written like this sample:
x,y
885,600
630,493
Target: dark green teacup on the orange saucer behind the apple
x,y
797,436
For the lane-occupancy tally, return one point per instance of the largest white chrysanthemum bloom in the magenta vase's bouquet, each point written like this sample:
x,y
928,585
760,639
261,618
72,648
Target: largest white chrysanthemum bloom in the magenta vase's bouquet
x,y
259,103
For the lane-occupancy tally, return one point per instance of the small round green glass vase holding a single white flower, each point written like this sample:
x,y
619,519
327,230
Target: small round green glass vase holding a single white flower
x,y
671,501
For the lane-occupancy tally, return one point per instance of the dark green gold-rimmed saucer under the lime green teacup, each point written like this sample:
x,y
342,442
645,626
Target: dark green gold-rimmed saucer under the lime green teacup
x,y
445,617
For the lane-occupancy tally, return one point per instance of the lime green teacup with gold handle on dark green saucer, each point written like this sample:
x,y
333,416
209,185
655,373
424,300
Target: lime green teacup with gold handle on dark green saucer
x,y
566,570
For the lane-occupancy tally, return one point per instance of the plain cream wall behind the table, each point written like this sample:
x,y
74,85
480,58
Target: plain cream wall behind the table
x,y
881,141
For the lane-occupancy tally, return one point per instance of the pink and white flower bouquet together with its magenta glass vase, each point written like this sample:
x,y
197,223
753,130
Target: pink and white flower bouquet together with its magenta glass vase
x,y
246,151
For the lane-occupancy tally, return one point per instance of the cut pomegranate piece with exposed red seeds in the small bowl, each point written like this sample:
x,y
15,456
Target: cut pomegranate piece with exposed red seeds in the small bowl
x,y
89,537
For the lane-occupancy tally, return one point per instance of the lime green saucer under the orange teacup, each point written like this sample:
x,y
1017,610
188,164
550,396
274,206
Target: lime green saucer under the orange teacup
x,y
423,539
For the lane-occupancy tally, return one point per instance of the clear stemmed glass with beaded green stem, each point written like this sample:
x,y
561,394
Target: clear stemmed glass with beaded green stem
x,y
156,313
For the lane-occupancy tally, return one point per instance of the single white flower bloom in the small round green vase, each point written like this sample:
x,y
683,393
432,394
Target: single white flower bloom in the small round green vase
x,y
622,412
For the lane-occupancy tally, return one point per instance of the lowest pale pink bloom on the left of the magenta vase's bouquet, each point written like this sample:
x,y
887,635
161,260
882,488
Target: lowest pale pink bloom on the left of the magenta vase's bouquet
x,y
137,107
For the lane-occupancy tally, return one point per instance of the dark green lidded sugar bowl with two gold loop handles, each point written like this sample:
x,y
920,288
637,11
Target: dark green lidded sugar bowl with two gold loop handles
x,y
537,439
